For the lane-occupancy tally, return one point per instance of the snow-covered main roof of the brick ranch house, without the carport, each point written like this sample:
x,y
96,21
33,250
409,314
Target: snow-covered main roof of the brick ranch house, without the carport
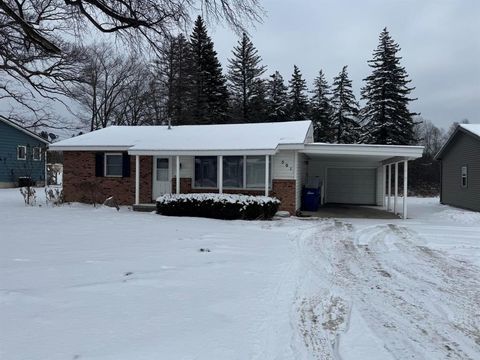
x,y
146,140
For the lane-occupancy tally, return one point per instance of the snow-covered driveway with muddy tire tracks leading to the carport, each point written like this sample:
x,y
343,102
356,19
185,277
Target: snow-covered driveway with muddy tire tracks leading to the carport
x,y
379,292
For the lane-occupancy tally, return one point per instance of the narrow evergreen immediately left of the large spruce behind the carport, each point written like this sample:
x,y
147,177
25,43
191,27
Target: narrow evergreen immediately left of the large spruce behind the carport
x,y
345,109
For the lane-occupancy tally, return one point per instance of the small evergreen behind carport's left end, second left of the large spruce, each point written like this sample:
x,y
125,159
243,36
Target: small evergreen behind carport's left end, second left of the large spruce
x,y
321,110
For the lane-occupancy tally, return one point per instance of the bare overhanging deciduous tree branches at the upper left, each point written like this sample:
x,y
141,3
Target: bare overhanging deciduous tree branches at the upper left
x,y
41,41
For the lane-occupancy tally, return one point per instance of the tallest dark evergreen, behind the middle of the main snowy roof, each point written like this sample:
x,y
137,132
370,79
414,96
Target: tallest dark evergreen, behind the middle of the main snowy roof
x,y
209,98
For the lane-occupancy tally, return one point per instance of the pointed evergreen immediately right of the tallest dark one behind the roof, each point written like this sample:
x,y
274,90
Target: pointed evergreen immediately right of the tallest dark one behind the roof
x,y
246,86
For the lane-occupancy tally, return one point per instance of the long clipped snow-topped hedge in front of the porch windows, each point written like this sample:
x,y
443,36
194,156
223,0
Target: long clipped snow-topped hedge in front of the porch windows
x,y
218,206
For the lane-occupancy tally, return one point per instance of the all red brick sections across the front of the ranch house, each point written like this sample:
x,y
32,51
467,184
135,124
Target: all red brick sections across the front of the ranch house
x,y
80,183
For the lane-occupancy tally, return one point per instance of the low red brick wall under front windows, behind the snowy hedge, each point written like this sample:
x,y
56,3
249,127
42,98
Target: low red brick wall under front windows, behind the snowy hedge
x,y
284,190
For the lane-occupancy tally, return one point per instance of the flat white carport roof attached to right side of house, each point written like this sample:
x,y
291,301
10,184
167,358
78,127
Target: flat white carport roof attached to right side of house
x,y
385,153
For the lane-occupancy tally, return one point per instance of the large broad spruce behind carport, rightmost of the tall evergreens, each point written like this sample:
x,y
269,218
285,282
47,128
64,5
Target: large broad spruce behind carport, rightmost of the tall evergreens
x,y
386,115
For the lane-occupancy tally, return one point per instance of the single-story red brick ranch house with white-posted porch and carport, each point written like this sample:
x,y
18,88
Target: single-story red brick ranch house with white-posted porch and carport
x,y
137,164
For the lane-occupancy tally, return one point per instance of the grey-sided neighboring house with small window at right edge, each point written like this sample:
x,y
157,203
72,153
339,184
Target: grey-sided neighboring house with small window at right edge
x,y
460,168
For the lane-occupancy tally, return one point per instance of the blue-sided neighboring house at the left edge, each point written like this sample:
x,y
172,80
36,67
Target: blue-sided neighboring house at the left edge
x,y
22,155
